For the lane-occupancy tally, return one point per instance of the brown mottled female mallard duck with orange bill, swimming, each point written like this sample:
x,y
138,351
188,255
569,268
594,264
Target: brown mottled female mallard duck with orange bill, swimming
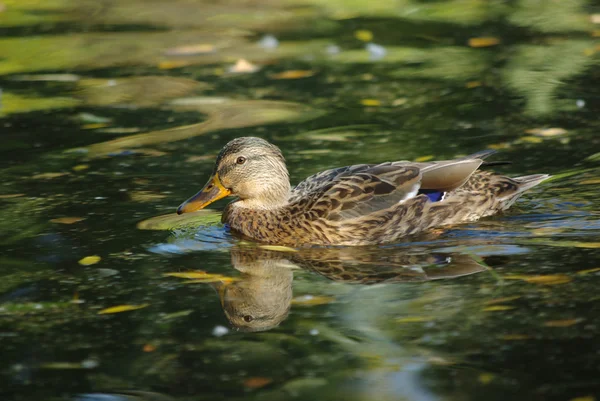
x,y
354,205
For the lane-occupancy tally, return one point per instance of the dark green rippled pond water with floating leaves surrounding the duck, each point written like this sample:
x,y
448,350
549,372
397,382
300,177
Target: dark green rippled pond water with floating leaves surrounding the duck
x,y
112,114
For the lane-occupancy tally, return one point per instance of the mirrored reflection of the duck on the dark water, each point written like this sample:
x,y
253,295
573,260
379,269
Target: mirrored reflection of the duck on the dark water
x,y
260,298
